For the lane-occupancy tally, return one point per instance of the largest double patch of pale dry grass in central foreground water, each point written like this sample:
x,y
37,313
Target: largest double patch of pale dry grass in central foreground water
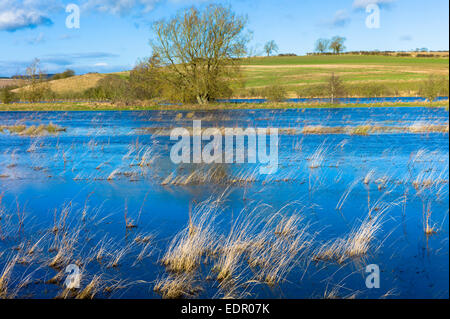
x,y
258,248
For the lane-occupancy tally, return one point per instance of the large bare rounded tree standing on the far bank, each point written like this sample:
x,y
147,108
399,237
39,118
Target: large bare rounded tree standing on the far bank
x,y
200,52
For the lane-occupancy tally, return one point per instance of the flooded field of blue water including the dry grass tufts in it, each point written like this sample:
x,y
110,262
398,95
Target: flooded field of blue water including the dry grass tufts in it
x,y
97,192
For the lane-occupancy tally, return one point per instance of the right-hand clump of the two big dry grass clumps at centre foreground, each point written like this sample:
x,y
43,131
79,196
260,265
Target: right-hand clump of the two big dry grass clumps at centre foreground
x,y
270,243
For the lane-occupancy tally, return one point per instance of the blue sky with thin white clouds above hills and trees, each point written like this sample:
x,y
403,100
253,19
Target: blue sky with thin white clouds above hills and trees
x,y
114,34
